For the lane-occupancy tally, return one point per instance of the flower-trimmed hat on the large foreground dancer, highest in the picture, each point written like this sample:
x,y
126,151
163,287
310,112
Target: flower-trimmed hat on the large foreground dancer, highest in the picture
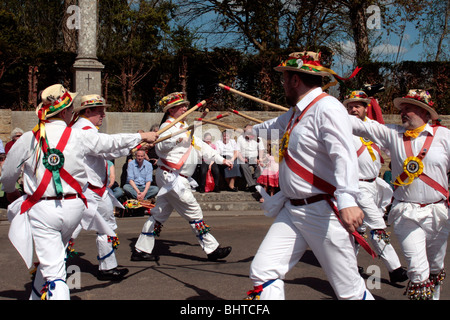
x,y
306,62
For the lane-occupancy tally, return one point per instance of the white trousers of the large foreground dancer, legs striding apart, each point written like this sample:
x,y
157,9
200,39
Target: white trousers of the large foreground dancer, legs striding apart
x,y
294,230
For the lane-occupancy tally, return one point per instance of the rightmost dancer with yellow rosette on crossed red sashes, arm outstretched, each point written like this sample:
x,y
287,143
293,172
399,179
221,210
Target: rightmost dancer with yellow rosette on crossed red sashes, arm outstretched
x,y
420,160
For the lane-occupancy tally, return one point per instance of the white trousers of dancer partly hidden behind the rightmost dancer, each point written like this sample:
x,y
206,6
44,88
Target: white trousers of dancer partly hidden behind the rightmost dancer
x,y
370,203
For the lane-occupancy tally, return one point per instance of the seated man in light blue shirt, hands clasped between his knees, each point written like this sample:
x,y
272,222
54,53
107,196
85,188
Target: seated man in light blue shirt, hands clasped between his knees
x,y
139,178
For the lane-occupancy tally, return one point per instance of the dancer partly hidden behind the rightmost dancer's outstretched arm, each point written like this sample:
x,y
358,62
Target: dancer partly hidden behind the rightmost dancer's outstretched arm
x,y
375,194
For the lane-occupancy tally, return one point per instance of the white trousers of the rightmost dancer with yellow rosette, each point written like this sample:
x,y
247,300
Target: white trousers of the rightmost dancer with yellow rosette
x,y
423,234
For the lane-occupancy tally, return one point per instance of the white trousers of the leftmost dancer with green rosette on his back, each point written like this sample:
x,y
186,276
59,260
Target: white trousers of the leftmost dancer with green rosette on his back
x,y
52,225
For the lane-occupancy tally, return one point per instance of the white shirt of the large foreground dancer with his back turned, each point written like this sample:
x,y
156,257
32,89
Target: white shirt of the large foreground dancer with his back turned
x,y
322,143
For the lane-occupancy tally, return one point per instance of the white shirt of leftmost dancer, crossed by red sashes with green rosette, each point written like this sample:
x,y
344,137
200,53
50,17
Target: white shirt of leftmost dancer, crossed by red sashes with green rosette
x,y
80,144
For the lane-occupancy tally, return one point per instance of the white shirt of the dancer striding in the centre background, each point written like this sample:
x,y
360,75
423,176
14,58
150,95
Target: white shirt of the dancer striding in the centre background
x,y
173,151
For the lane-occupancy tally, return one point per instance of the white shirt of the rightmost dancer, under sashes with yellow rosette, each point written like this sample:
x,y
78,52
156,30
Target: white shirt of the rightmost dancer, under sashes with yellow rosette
x,y
436,162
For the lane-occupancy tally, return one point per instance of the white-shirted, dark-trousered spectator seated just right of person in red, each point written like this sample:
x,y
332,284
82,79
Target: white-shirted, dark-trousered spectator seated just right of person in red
x,y
229,150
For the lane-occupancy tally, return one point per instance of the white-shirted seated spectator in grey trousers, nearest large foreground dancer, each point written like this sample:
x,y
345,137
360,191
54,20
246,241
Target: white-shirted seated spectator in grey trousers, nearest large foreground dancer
x,y
251,149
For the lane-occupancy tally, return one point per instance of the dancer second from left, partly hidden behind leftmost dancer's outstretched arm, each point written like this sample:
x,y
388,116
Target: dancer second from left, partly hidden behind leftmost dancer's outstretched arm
x,y
91,114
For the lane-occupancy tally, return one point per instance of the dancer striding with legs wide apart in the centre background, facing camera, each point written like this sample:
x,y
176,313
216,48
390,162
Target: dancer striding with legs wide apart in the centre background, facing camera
x,y
178,157
